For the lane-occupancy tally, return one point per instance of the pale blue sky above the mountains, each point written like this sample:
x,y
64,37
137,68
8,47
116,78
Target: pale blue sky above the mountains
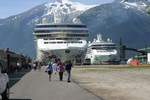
x,y
14,7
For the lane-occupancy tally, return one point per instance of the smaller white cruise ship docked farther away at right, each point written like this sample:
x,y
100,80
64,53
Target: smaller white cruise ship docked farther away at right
x,y
101,52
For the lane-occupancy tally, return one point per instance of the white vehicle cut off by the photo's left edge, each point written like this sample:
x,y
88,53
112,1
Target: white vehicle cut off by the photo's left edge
x,y
4,84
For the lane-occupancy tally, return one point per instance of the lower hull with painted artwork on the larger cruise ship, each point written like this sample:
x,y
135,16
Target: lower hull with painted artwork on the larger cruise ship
x,y
47,56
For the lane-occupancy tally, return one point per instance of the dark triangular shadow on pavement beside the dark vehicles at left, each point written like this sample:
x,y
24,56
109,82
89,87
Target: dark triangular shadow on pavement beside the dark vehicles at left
x,y
15,77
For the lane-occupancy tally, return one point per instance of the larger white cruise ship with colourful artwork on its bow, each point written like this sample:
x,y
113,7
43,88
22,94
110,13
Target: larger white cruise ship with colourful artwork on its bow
x,y
63,41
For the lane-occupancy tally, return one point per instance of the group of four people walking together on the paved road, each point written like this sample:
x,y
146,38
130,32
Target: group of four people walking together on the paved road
x,y
60,67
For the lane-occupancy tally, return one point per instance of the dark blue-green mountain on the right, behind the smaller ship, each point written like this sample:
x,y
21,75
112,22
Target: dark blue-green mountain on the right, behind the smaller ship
x,y
120,19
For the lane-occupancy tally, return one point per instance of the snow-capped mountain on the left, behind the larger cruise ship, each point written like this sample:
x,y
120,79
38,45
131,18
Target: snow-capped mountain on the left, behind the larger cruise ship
x,y
16,32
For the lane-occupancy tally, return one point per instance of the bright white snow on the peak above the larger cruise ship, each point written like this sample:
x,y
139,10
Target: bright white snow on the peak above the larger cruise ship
x,y
68,9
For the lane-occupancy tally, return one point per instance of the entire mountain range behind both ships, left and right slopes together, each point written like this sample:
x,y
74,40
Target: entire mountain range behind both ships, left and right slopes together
x,y
128,20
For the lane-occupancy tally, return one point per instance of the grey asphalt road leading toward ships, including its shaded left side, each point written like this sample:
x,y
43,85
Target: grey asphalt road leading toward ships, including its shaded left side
x,y
35,85
